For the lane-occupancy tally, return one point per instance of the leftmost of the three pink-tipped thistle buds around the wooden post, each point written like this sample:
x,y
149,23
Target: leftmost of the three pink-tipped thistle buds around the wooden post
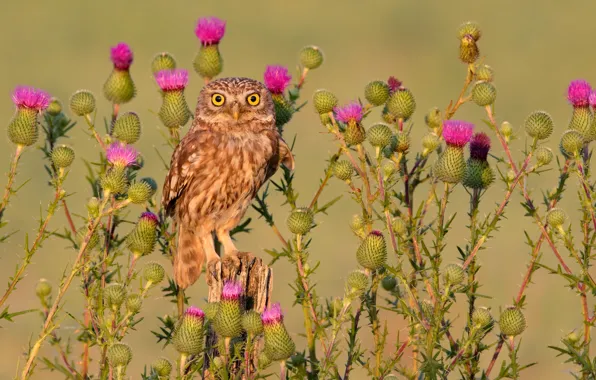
x,y
189,333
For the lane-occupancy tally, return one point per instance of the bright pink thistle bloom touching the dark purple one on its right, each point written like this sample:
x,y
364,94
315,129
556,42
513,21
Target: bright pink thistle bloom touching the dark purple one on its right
x,y
450,167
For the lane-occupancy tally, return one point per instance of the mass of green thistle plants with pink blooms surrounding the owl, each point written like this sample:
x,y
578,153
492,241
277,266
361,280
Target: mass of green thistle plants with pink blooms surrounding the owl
x,y
400,187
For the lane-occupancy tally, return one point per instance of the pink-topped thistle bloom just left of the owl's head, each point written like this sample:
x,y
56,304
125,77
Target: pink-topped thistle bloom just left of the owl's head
x,y
174,111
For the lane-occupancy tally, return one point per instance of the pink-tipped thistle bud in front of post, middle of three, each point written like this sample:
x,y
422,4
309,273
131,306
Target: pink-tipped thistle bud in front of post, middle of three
x,y
228,320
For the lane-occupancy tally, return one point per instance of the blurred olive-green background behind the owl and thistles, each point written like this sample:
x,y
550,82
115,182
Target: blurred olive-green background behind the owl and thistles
x,y
535,49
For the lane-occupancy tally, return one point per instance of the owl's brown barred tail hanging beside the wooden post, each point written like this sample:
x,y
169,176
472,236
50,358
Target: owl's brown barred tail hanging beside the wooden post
x,y
189,258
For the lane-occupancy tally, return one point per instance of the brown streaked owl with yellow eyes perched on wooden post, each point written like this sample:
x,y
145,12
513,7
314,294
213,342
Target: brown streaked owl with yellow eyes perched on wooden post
x,y
232,148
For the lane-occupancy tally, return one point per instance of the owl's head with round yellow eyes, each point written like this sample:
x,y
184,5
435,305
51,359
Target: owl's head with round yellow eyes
x,y
235,103
